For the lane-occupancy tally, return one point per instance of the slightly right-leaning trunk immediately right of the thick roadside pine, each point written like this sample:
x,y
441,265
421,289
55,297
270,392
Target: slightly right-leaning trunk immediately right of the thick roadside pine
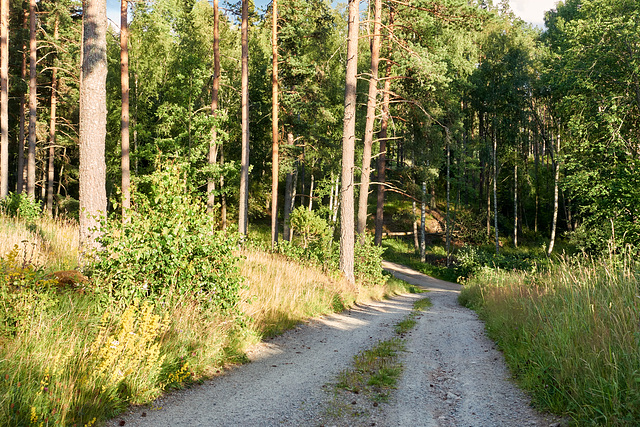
x,y
363,200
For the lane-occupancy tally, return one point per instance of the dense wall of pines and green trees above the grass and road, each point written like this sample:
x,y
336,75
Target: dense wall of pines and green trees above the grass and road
x,y
514,131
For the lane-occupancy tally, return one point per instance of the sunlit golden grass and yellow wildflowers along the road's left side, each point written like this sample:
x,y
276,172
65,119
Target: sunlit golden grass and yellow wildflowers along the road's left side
x,y
68,356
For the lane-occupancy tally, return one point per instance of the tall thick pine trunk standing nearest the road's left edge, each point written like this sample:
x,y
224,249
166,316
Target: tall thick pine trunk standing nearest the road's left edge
x,y
347,237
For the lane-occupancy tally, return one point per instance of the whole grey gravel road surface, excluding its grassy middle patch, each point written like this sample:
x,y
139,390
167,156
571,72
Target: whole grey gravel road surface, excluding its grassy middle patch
x,y
453,374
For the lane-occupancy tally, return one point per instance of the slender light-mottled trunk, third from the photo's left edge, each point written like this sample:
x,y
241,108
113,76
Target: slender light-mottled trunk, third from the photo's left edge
x,y
33,102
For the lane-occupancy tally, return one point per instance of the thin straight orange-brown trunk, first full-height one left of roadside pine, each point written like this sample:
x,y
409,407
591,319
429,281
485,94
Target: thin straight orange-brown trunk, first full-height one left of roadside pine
x,y
275,161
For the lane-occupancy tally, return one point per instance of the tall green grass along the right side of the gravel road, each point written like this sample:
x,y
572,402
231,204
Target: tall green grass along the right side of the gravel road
x,y
570,334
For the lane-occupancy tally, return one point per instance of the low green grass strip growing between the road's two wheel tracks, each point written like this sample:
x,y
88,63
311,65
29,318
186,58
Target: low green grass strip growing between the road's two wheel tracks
x,y
374,372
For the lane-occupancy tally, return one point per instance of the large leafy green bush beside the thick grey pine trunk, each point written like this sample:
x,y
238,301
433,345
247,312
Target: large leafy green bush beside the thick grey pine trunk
x,y
168,245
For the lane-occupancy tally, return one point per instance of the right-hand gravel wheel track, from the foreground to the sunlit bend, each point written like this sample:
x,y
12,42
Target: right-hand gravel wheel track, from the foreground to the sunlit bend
x,y
454,375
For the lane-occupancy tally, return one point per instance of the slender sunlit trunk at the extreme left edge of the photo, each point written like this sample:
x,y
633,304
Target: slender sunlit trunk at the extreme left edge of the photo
x,y
4,98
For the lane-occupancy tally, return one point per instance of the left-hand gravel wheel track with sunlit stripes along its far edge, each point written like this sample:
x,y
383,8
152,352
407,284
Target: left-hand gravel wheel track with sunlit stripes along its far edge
x,y
284,383
